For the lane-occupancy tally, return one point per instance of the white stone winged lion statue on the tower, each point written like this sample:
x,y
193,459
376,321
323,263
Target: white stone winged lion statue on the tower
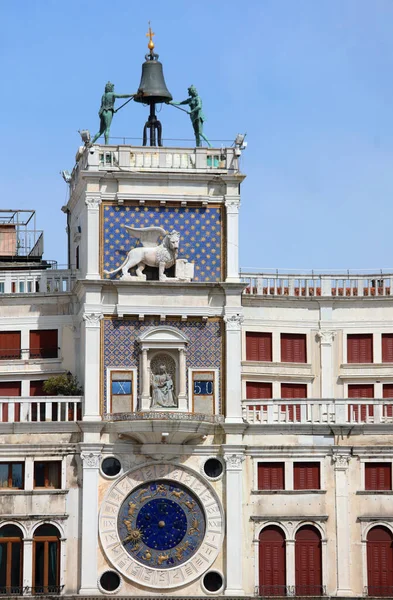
x,y
151,253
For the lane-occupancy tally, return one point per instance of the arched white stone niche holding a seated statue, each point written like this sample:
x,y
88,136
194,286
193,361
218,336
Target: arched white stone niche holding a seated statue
x,y
162,369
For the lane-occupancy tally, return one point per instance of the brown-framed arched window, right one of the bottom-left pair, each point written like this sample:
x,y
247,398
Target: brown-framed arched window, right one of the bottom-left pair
x,y
46,560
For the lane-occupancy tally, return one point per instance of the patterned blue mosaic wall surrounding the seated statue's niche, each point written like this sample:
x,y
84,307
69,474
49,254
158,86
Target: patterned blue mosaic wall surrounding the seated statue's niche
x,y
121,348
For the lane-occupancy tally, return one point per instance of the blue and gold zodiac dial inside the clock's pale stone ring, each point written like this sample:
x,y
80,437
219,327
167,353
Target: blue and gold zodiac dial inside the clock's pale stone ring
x,y
161,524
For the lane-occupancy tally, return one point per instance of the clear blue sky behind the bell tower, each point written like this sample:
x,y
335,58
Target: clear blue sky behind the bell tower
x,y
310,81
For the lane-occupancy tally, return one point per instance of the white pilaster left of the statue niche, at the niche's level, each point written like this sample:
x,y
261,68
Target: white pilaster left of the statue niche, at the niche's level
x,y
92,343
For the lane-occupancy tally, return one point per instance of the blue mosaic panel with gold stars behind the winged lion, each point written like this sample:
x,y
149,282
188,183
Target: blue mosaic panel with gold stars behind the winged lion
x,y
200,235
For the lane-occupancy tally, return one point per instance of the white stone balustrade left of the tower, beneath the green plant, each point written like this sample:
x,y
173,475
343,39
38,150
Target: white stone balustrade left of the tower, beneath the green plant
x,y
18,409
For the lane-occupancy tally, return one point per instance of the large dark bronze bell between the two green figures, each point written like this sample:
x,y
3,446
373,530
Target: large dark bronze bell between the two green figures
x,y
152,88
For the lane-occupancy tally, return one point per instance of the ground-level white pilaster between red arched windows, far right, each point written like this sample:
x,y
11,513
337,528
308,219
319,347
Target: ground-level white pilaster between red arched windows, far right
x,y
341,463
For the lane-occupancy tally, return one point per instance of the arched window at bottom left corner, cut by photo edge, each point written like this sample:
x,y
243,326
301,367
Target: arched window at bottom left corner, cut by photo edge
x,y
11,560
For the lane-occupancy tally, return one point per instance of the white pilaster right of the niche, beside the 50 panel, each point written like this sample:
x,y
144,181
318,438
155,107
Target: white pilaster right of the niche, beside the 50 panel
x,y
233,413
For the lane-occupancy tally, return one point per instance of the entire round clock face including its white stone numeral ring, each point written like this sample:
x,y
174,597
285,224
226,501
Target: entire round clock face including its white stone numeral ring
x,y
161,526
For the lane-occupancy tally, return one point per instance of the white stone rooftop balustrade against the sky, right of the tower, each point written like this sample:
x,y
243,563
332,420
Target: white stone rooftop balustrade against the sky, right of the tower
x,y
340,285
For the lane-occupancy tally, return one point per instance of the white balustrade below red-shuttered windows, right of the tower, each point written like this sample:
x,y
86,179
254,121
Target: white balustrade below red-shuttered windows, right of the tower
x,y
318,411
